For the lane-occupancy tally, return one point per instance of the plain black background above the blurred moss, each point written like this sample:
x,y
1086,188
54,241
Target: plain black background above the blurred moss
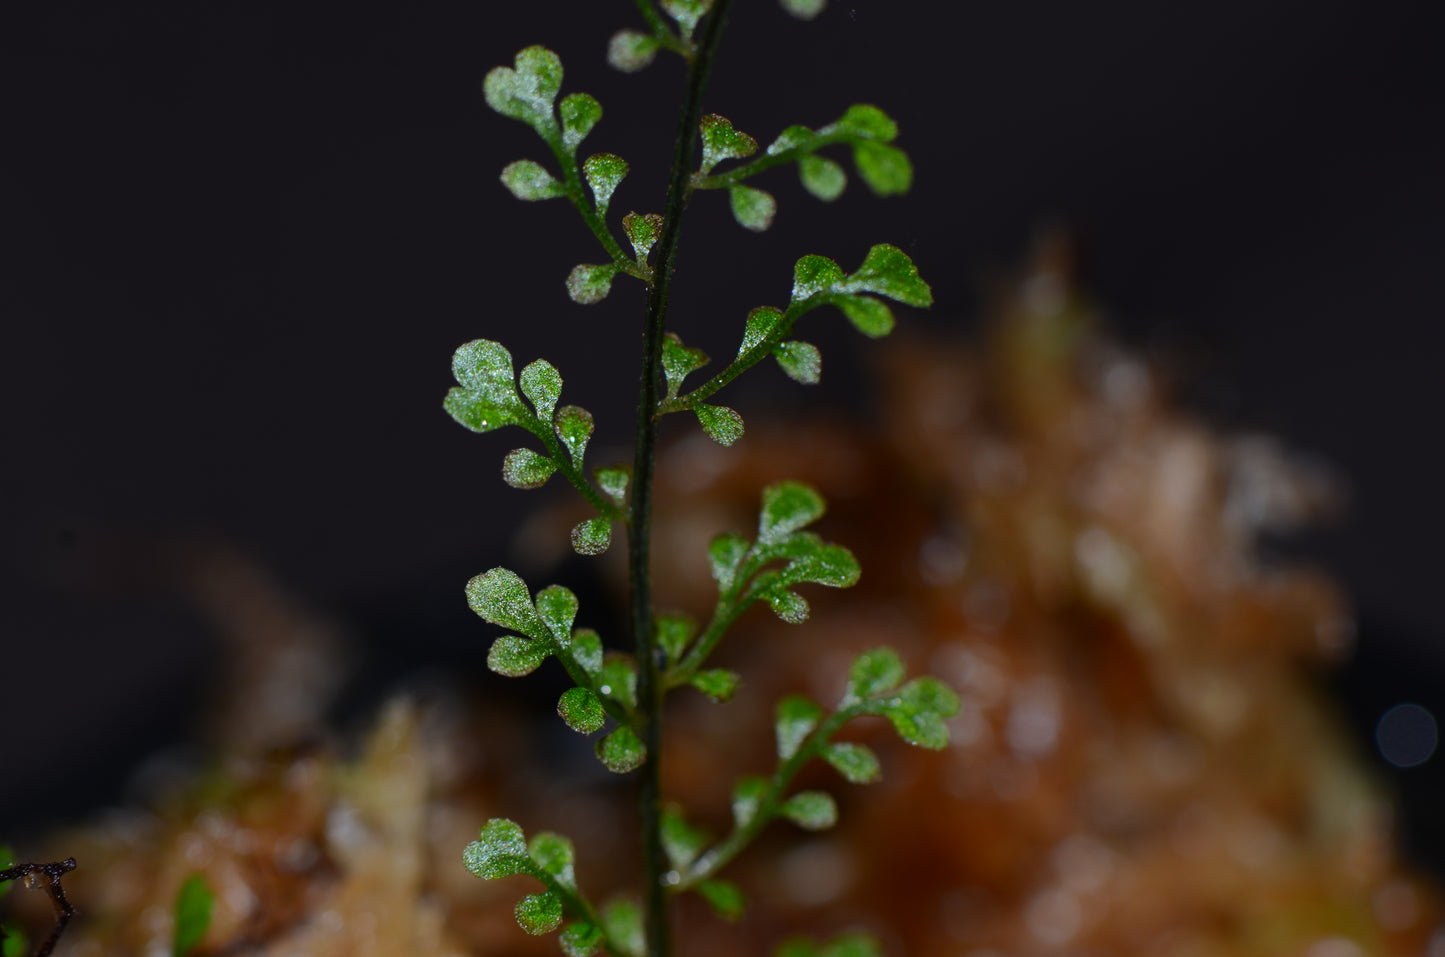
x,y
241,242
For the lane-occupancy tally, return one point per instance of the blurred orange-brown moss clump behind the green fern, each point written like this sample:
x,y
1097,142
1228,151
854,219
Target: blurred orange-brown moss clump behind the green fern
x,y
1142,765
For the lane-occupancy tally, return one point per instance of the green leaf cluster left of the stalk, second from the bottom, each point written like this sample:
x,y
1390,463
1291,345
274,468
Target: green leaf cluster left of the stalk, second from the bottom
x,y
606,685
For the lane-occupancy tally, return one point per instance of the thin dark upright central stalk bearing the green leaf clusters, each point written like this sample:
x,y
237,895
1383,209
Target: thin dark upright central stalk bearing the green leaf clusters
x,y
639,538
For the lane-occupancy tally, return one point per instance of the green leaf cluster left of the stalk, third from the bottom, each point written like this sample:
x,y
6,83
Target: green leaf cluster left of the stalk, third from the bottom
x,y
486,398
